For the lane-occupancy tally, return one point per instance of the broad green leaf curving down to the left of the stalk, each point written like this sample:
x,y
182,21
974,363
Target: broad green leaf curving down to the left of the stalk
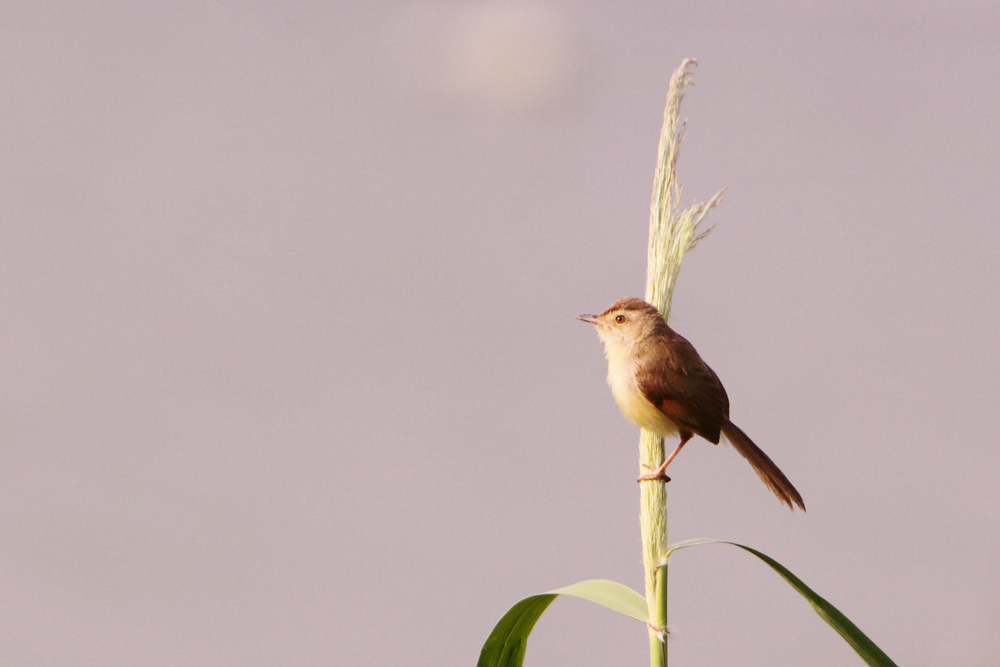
x,y
507,643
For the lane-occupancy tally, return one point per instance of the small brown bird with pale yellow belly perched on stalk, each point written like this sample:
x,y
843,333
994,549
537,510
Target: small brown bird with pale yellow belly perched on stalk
x,y
662,385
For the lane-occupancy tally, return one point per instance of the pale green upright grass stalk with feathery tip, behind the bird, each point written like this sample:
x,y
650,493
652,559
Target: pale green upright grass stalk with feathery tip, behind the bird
x,y
671,234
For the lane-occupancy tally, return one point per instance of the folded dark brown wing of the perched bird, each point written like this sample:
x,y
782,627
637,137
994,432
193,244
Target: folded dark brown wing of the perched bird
x,y
674,378
